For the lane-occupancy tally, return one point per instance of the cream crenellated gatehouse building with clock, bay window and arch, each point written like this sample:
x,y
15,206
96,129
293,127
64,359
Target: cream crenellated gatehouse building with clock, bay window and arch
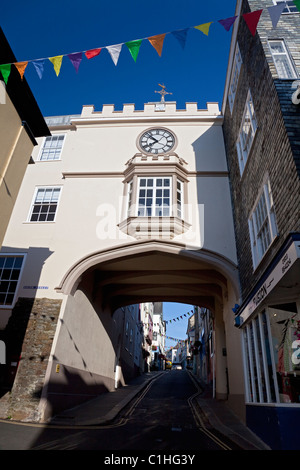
x,y
120,208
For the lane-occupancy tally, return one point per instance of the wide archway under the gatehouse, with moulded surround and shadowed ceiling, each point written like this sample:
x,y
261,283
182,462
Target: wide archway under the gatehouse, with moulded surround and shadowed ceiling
x,y
102,282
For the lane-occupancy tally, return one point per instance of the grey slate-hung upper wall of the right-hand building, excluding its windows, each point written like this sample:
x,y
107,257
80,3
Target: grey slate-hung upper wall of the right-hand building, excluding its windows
x,y
275,148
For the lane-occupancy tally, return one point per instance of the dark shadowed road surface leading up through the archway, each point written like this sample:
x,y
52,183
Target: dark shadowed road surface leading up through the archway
x,y
163,418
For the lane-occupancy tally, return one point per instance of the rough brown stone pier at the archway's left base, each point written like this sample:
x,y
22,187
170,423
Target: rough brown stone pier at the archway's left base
x,y
38,319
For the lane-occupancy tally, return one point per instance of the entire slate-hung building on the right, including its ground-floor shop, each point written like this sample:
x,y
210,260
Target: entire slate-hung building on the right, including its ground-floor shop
x,y
262,140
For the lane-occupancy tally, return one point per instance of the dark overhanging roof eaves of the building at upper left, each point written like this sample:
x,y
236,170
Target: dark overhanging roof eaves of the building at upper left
x,y
20,93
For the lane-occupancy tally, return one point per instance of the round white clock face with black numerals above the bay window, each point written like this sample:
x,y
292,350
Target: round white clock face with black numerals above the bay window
x,y
157,141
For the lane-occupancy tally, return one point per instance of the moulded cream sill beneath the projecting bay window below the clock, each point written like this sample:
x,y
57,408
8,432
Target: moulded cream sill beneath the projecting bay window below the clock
x,y
154,227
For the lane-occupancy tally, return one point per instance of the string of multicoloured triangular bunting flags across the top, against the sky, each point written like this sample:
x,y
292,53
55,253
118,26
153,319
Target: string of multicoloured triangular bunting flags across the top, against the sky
x,y
157,41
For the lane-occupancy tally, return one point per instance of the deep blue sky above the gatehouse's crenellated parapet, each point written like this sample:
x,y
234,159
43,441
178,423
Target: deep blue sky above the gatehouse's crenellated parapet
x,y
38,29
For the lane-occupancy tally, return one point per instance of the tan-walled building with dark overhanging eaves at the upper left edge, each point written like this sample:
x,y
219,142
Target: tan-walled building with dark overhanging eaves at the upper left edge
x,y
21,122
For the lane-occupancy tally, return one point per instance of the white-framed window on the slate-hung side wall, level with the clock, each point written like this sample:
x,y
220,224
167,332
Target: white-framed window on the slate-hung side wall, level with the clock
x,y
247,133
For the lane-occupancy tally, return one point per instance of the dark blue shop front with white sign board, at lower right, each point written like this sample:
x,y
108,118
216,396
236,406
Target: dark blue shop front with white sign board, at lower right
x,y
270,324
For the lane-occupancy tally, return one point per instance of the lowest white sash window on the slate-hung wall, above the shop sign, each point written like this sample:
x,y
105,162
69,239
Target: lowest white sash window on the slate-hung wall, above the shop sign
x,y
262,224
